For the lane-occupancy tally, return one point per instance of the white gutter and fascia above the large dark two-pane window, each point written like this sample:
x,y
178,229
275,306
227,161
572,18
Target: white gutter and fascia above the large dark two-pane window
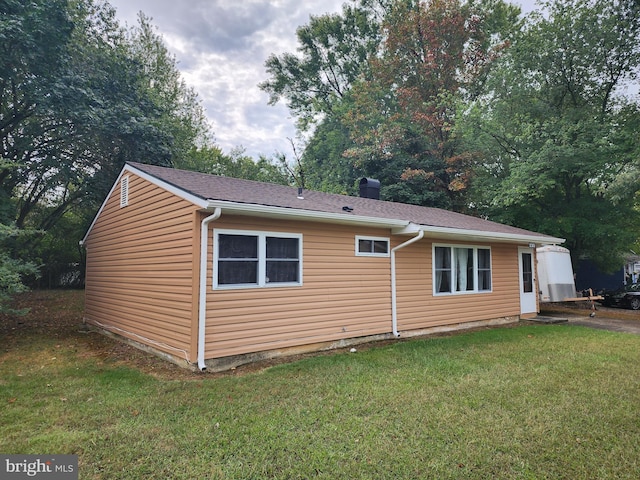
x,y
307,215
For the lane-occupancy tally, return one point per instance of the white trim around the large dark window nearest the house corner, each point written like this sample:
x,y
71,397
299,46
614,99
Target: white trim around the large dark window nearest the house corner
x,y
262,258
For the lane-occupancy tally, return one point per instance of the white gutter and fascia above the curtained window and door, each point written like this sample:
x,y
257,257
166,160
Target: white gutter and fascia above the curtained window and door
x,y
478,235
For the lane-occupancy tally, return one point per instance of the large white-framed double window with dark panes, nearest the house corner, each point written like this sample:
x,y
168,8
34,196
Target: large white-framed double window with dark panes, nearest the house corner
x,y
250,259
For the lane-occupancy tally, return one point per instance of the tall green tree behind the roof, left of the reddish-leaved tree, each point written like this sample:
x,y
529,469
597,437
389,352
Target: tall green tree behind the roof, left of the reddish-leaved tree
x,y
333,52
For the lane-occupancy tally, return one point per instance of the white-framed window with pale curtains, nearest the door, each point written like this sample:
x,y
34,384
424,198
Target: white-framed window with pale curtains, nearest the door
x,y
459,269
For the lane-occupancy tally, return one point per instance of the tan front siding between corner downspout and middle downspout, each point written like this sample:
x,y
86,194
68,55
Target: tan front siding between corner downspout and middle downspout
x,y
342,295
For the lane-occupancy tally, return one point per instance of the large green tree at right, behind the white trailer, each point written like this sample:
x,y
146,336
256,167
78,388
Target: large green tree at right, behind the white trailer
x,y
559,136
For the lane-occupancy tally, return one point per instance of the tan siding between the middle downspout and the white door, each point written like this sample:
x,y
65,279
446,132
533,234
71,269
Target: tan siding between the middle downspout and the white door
x,y
418,308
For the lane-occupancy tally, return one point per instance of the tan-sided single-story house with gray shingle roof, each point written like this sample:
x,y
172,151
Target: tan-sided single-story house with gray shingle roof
x,y
212,272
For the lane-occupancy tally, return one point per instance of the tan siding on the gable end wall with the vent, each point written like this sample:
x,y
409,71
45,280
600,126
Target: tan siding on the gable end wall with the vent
x,y
140,267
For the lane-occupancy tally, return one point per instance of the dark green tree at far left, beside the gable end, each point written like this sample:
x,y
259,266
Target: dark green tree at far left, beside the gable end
x,y
71,111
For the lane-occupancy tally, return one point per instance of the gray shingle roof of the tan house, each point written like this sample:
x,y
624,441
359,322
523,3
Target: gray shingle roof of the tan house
x,y
212,187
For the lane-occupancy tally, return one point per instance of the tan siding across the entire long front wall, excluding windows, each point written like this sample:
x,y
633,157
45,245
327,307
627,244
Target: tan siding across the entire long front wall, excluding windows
x,y
344,295
